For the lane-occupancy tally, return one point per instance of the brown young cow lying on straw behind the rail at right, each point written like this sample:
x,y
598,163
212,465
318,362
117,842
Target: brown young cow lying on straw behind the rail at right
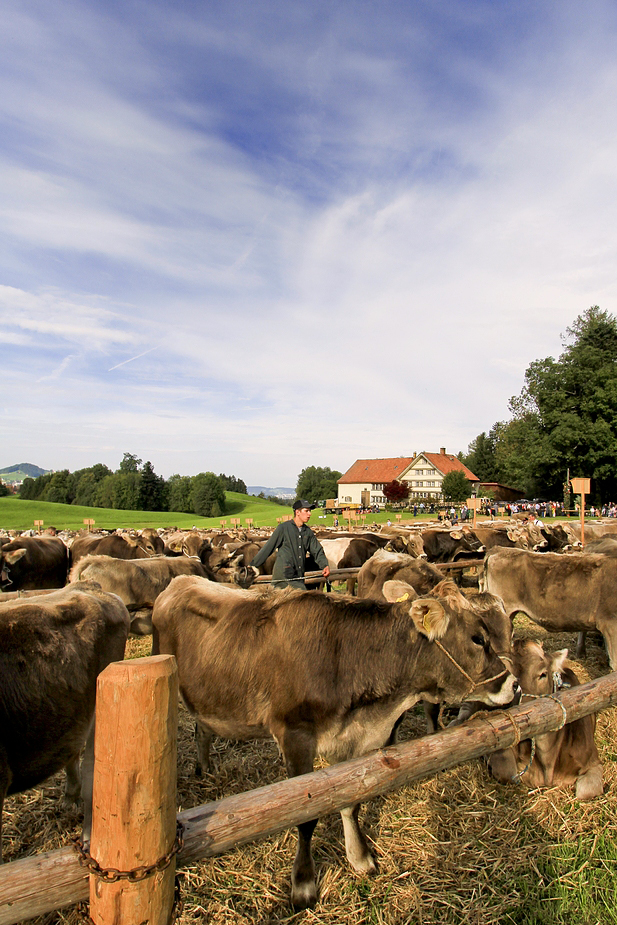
x,y
567,756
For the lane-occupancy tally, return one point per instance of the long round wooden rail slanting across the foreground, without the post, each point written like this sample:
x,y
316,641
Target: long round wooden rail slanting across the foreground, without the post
x,y
40,884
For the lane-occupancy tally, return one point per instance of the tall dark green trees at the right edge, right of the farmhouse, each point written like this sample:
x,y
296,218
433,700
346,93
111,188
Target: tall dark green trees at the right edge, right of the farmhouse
x,y
563,420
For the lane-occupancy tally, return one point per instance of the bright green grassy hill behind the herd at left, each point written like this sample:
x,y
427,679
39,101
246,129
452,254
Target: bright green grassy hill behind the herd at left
x,y
20,515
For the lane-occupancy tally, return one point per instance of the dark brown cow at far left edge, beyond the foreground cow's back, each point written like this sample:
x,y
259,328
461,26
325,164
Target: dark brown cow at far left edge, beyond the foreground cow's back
x,y
33,562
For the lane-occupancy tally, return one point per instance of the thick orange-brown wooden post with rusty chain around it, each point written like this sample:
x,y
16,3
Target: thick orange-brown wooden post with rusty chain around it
x,y
134,789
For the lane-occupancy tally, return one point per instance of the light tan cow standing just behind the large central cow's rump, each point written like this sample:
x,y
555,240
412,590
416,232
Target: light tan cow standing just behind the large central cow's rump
x,y
137,582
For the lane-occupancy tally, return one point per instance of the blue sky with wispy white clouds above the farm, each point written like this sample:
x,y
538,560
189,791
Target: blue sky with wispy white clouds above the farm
x,y
250,237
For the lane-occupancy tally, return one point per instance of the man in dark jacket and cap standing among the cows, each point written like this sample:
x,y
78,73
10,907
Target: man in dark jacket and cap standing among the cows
x,y
294,542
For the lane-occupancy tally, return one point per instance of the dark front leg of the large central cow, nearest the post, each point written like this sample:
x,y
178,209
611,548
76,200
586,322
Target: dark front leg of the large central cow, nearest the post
x,y
298,748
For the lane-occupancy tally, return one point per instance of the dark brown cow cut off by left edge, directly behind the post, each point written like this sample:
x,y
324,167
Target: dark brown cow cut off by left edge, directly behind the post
x,y
52,648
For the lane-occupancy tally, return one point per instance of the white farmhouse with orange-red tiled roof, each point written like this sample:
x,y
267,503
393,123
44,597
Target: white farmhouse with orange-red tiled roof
x,y
424,472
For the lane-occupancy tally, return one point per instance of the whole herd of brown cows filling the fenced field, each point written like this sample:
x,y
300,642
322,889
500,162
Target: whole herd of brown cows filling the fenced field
x,y
324,674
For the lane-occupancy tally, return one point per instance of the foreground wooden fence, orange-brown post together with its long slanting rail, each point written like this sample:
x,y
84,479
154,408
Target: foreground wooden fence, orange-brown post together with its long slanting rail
x,y
135,707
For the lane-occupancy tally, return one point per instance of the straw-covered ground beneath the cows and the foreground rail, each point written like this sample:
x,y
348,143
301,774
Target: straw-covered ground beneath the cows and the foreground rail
x,y
458,848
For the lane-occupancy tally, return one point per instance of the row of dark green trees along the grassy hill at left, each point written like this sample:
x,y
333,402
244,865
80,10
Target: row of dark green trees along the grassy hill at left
x,y
134,486
